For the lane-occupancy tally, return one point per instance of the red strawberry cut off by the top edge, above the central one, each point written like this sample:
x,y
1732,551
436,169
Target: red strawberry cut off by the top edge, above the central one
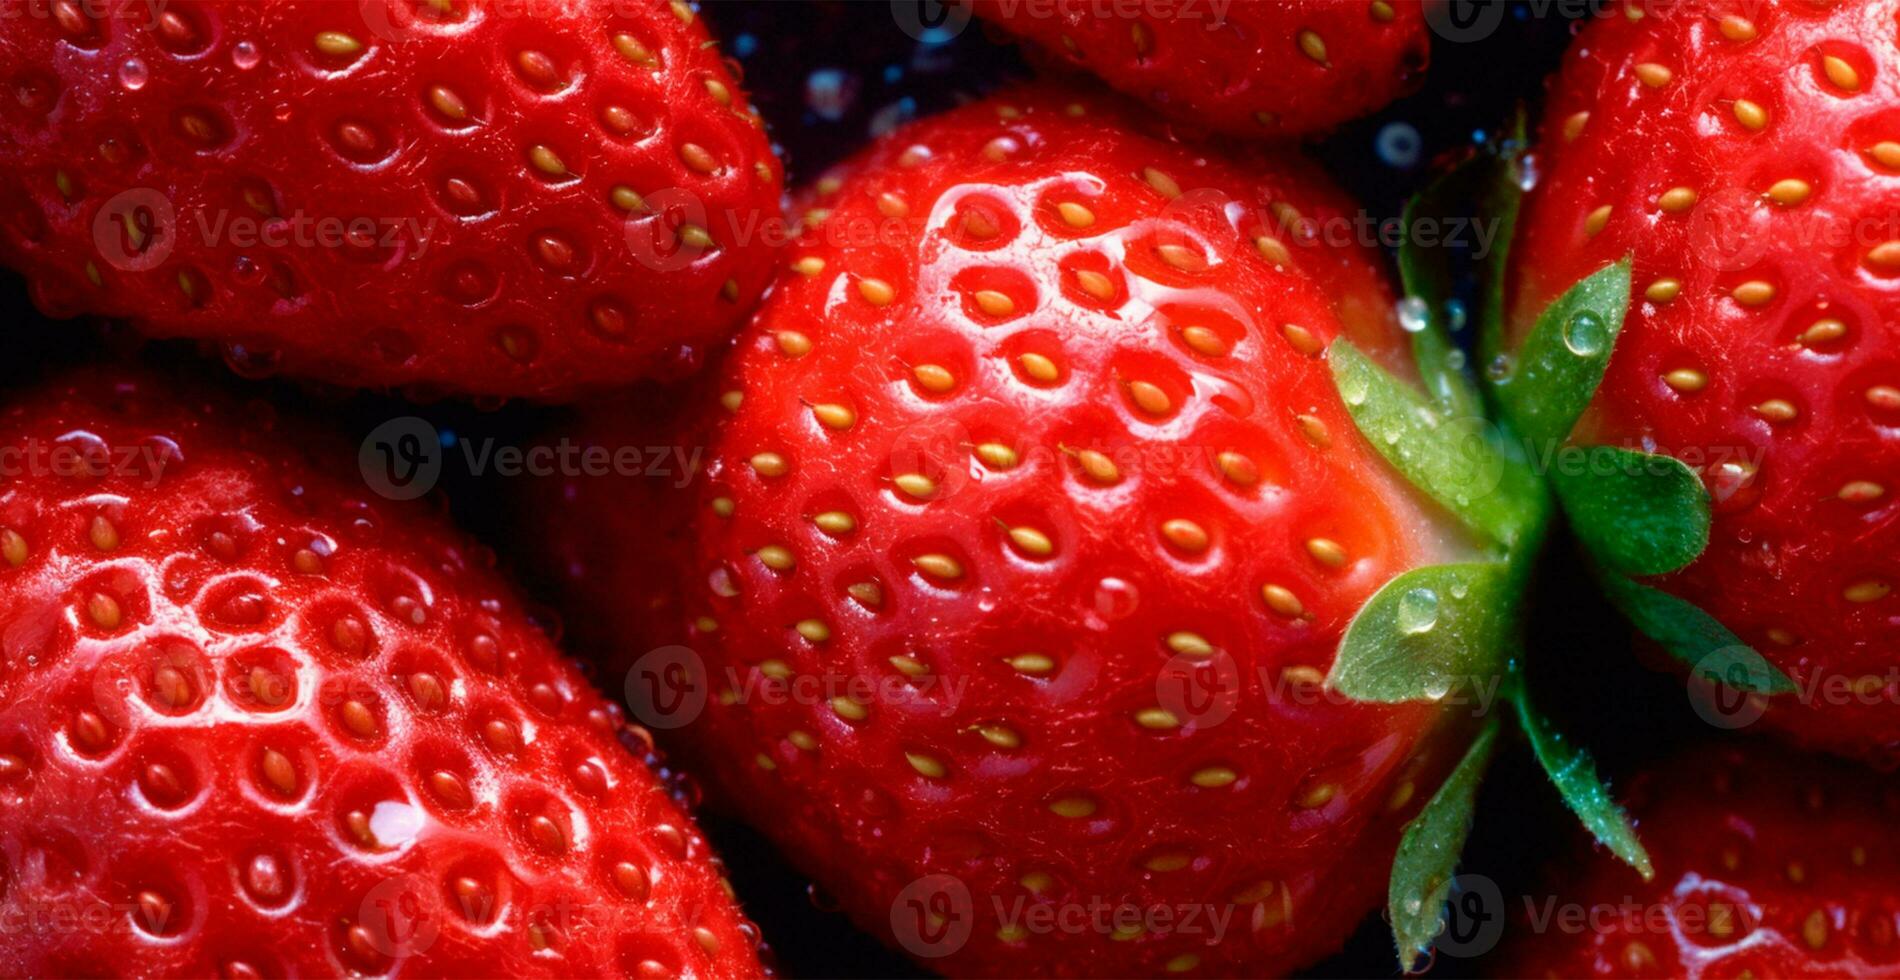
x,y
1253,69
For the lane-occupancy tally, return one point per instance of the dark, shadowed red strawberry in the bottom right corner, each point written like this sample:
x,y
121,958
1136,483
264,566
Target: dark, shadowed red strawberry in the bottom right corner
x,y
1768,865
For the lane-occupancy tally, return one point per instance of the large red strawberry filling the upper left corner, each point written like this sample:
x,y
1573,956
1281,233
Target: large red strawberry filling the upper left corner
x,y
489,200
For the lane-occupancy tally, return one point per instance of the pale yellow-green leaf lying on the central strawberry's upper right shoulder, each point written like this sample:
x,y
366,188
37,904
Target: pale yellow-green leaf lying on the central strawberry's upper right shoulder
x,y
1456,461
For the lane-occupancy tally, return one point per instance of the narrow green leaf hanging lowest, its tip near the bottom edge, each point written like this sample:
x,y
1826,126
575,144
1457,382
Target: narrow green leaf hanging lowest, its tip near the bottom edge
x,y
1430,848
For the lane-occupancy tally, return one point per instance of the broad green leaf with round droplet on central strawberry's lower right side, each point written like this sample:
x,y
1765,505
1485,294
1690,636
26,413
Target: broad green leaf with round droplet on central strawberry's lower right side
x,y
1428,631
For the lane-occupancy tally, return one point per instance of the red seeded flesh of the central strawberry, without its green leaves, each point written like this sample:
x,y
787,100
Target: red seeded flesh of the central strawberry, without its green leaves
x,y
1040,409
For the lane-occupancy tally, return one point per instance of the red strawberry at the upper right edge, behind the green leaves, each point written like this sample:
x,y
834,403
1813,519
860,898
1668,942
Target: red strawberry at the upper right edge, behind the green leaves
x,y
1738,157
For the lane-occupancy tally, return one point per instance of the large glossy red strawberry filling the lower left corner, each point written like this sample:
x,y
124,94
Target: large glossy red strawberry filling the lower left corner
x,y
259,723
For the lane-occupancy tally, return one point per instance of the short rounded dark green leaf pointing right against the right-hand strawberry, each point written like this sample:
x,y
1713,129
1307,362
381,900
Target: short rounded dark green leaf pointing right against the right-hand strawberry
x,y
1639,514
